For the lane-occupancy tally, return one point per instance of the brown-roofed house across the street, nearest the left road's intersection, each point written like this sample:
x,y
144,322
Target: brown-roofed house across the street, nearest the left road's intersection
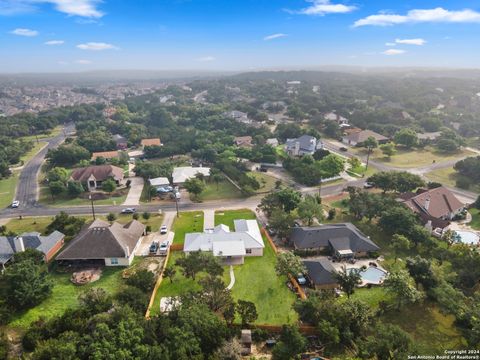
x,y
95,175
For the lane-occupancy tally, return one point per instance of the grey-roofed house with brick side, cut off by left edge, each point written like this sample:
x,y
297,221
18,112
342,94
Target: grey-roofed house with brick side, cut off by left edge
x,y
48,245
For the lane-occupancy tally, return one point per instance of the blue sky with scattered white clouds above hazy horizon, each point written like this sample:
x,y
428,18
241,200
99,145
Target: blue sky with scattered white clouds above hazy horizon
x,y
236,35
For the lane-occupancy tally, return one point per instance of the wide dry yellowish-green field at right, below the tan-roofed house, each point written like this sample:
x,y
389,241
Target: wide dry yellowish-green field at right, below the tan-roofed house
x,y
413,158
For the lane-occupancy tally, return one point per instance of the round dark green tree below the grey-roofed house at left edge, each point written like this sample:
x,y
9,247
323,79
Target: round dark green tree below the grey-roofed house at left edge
x,y
27,284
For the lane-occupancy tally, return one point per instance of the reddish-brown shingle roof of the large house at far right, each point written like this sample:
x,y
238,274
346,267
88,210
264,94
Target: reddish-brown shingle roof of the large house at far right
x,y
438,202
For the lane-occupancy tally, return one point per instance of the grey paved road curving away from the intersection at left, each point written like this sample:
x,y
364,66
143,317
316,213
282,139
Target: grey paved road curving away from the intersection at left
x,y
27,187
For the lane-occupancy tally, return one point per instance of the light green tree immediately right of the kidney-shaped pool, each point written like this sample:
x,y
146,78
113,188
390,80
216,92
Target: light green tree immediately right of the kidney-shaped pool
x,y
400,284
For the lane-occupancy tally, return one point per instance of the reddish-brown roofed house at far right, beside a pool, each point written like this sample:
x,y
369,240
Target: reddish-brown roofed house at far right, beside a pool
x,y
436,207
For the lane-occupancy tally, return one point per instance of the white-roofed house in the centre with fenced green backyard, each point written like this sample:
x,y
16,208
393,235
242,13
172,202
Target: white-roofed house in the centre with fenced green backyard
x,y
231,247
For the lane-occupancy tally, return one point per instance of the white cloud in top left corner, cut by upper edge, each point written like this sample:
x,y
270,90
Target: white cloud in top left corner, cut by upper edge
x,y
84,8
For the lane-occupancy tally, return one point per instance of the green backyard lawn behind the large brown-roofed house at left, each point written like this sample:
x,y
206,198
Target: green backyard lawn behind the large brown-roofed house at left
x,y
65,294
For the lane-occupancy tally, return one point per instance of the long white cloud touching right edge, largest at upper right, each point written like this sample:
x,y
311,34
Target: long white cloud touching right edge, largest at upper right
x,y
421,15
